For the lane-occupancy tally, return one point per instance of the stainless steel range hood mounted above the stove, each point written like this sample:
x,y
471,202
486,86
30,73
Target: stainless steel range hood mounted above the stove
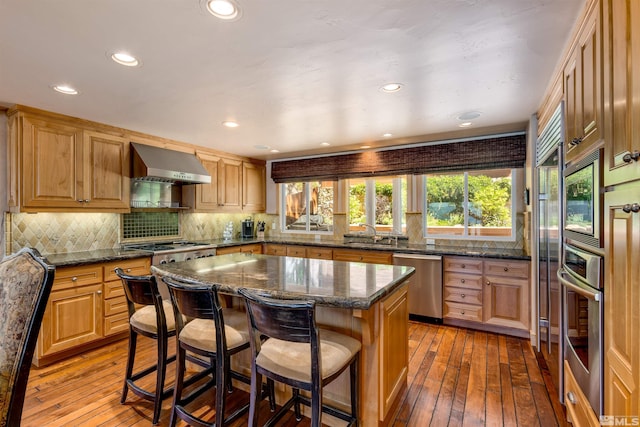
x,y
164,165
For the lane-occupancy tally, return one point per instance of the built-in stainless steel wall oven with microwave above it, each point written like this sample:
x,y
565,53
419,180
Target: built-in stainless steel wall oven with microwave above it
x,y
581,276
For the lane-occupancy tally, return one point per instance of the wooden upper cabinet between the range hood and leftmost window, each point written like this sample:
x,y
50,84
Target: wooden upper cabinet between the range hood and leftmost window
x,y
236,186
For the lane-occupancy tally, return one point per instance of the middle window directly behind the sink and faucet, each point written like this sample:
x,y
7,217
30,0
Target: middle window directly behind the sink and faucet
x,y
380,202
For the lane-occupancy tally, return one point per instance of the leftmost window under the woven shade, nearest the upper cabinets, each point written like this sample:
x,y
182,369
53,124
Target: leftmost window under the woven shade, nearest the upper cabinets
x,y
307,206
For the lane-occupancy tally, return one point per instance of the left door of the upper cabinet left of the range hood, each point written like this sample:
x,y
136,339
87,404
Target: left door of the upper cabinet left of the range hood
x,y
51,160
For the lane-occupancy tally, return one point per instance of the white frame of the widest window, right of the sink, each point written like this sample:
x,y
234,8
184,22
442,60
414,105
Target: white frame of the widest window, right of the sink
x,y
466,236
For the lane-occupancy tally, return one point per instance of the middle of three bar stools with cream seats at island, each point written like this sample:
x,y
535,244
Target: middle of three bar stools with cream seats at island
x,y
213,332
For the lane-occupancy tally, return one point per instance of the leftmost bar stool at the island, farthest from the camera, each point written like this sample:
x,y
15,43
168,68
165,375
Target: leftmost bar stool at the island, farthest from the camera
x,y
154,320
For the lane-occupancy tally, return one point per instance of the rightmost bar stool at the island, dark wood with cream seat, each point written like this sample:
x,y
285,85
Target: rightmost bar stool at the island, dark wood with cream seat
x,y
297,353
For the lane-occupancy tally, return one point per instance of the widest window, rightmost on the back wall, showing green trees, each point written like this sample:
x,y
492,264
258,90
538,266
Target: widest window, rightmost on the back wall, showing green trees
x,y
477,204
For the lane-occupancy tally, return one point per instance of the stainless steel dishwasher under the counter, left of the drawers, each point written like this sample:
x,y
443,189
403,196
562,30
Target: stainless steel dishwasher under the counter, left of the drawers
x,y
425,286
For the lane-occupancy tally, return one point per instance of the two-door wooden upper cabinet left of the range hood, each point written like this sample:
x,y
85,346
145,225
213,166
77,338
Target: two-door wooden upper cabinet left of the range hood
x,y
58,166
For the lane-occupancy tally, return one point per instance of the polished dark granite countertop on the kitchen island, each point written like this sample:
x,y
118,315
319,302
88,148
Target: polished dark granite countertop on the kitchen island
x,y
329,283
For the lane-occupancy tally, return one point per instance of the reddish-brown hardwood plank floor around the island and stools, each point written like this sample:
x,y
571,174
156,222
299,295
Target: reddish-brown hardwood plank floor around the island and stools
x,y
457,377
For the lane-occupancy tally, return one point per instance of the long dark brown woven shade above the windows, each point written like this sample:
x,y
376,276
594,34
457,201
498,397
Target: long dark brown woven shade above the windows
x,y
488,153
